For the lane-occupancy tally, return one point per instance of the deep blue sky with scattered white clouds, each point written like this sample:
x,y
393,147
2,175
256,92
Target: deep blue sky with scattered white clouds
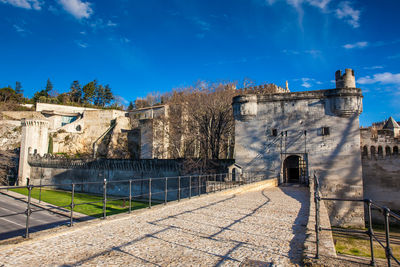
x,y
140,47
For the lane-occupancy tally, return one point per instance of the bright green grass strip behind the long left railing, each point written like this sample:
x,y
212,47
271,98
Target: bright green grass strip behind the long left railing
x,y
63,198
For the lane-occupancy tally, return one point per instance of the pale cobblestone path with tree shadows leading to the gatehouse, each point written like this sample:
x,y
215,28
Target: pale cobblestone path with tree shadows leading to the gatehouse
x,y
217,230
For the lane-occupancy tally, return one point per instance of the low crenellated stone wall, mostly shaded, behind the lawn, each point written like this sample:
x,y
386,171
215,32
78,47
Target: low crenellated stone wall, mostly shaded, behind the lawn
x,y
52,170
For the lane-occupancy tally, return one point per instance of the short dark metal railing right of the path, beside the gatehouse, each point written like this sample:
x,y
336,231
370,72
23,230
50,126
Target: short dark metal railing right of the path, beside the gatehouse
x,y
386,213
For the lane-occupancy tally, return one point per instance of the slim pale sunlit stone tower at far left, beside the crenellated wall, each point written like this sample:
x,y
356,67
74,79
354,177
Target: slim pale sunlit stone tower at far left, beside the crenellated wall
x,y
34,140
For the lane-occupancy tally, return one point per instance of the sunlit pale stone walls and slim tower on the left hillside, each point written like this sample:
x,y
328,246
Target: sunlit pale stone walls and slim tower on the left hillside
x,y
60,129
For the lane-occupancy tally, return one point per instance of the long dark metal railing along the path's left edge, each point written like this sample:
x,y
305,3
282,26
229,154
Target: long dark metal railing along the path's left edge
x,y
197,186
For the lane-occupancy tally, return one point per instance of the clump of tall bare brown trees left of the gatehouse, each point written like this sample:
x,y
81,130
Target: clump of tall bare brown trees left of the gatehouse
x,y
200,121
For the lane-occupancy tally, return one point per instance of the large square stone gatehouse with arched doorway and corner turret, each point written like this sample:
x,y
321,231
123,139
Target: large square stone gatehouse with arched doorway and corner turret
x,y
294,135
